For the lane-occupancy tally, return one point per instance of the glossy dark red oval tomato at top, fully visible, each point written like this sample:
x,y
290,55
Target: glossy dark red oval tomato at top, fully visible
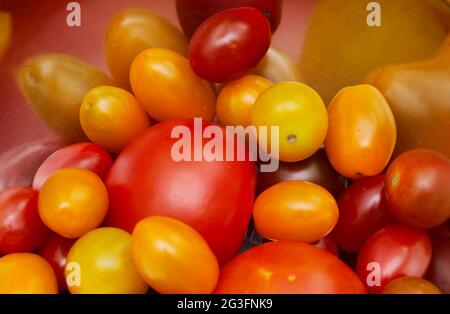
x,y
229,44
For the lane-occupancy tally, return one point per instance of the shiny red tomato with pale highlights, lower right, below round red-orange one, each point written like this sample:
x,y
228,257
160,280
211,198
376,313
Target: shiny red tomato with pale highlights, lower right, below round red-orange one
x,y
392,252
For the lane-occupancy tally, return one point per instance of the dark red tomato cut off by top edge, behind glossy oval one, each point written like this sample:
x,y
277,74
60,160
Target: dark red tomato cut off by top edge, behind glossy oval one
x,y
191,13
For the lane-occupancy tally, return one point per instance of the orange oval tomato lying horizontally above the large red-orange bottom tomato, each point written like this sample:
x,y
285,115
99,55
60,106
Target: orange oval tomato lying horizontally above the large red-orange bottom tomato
x,y
295,210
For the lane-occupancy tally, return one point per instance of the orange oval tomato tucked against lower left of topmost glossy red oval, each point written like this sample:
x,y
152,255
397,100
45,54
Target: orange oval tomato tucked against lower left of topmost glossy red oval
x,y
167,88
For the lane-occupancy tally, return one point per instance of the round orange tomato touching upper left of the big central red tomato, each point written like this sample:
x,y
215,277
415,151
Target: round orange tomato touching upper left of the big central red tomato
x,y
111,117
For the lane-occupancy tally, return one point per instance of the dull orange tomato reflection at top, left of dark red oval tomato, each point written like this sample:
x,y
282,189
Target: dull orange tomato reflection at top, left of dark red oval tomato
x,y
134,30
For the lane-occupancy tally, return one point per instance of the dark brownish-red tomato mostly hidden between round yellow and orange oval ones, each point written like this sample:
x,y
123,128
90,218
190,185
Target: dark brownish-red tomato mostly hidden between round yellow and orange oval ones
x,y
316,169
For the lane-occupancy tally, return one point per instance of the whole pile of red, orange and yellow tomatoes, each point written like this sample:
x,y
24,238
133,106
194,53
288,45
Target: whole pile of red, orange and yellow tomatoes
x,y
118,214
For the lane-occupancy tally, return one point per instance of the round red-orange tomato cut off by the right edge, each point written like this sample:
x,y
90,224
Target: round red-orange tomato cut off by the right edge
x,y
418,188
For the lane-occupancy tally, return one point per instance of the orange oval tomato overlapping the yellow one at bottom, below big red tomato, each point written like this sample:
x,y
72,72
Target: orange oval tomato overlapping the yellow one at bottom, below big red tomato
x,y
189,266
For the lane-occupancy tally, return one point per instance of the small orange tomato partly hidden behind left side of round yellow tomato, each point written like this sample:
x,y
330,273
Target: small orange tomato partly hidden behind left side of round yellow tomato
x,y
236,99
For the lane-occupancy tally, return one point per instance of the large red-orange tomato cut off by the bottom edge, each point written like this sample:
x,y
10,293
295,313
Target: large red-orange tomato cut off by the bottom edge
x,y
287,267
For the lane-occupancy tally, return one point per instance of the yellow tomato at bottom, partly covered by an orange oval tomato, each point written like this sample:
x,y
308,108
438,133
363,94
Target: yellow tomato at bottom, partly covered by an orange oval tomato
x,y
105,263
